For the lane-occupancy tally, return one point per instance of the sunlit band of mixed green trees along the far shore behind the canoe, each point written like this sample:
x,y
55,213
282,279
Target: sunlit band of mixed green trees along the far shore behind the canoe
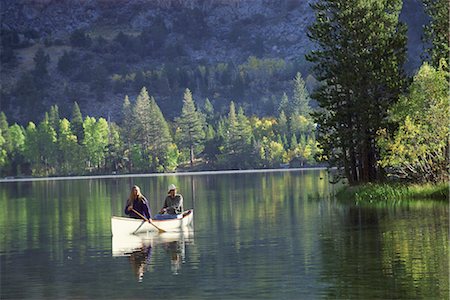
x,y
146,142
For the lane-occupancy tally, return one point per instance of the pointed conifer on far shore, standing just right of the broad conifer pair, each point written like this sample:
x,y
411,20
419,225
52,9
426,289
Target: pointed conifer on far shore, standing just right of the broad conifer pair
x,y
191,124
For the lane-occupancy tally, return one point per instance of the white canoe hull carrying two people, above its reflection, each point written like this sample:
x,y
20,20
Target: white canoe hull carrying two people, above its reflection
x,y
121,225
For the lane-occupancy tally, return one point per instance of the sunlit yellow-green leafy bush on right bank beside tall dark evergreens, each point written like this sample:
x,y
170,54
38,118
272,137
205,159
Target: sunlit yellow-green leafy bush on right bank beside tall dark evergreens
x,y
418,149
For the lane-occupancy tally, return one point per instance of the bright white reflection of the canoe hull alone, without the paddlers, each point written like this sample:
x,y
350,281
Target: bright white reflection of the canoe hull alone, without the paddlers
x,y
124,245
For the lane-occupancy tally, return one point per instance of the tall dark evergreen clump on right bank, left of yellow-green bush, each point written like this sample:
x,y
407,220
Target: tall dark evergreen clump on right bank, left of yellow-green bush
x,y
360,65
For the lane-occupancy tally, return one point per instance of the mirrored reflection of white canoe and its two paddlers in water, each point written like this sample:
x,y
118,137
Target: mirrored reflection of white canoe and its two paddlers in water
x,y
139,248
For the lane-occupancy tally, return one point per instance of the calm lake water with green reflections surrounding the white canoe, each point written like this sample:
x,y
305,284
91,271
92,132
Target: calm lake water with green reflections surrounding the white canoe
x,y
274,235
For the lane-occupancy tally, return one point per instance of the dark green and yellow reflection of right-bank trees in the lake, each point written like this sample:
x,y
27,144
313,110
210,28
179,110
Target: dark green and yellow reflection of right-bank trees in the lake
x,y
379,254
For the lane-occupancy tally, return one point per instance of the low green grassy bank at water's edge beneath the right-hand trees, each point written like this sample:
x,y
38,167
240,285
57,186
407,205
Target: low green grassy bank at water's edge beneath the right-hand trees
x,y
394,192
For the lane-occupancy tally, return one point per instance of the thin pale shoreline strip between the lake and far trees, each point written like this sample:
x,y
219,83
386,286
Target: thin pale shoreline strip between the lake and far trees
x,y
112,176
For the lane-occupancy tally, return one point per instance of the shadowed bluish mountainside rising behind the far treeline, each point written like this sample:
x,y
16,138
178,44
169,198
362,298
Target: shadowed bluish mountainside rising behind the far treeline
x,y
97,51
